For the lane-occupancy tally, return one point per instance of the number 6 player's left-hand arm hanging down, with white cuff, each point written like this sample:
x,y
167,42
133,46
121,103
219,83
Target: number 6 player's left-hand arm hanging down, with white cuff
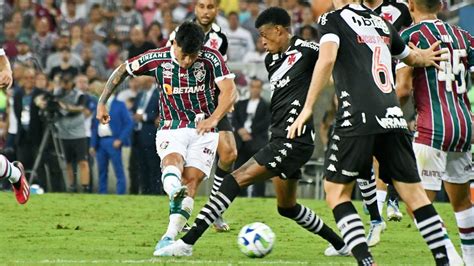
x,y
321,76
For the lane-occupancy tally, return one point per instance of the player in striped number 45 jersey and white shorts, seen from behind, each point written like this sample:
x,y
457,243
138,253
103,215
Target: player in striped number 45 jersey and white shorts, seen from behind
x,y
444,124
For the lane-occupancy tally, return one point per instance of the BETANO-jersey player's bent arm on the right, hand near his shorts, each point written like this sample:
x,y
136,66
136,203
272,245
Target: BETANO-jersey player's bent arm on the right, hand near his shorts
x,y
227,98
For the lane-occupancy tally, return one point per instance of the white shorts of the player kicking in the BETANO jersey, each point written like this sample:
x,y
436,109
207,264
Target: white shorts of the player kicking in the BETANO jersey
x,y
198,151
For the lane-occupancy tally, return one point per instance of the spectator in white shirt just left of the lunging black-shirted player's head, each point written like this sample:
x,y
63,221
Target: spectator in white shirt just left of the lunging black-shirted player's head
x,y
240,40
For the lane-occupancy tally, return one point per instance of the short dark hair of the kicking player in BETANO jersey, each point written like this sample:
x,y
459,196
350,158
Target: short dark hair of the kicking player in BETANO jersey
x,y
190,37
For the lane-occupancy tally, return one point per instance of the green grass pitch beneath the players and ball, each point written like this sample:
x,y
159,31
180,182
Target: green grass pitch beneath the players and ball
x,y
78,229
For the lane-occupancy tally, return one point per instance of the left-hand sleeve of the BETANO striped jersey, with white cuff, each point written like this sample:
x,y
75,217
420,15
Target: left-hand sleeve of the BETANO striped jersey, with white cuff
x,y
143,64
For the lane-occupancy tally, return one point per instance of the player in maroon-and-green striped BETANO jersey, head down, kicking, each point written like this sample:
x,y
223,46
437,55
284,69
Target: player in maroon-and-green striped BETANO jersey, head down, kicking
x,y
186,139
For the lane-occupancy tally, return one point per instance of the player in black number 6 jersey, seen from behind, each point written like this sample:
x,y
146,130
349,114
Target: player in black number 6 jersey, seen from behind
x,y
358,47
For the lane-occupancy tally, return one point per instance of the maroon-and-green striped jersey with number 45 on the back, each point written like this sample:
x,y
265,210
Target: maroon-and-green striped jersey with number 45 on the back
x,y
444,116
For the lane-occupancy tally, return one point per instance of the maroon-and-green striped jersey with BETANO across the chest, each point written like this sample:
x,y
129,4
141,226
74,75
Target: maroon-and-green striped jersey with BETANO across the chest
x,y
186,95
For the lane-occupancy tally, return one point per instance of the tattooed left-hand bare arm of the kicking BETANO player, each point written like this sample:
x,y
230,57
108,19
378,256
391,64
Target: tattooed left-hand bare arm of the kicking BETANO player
x,y
117,77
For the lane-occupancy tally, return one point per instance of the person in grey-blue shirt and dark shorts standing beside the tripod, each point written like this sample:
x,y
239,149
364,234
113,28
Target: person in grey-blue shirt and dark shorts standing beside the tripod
x,y
72,132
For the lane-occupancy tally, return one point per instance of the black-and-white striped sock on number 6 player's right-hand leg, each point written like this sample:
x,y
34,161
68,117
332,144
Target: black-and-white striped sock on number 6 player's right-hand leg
x,y
431,228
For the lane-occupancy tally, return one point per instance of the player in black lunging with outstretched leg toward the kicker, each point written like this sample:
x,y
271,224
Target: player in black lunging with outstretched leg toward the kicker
x,y
290,64
